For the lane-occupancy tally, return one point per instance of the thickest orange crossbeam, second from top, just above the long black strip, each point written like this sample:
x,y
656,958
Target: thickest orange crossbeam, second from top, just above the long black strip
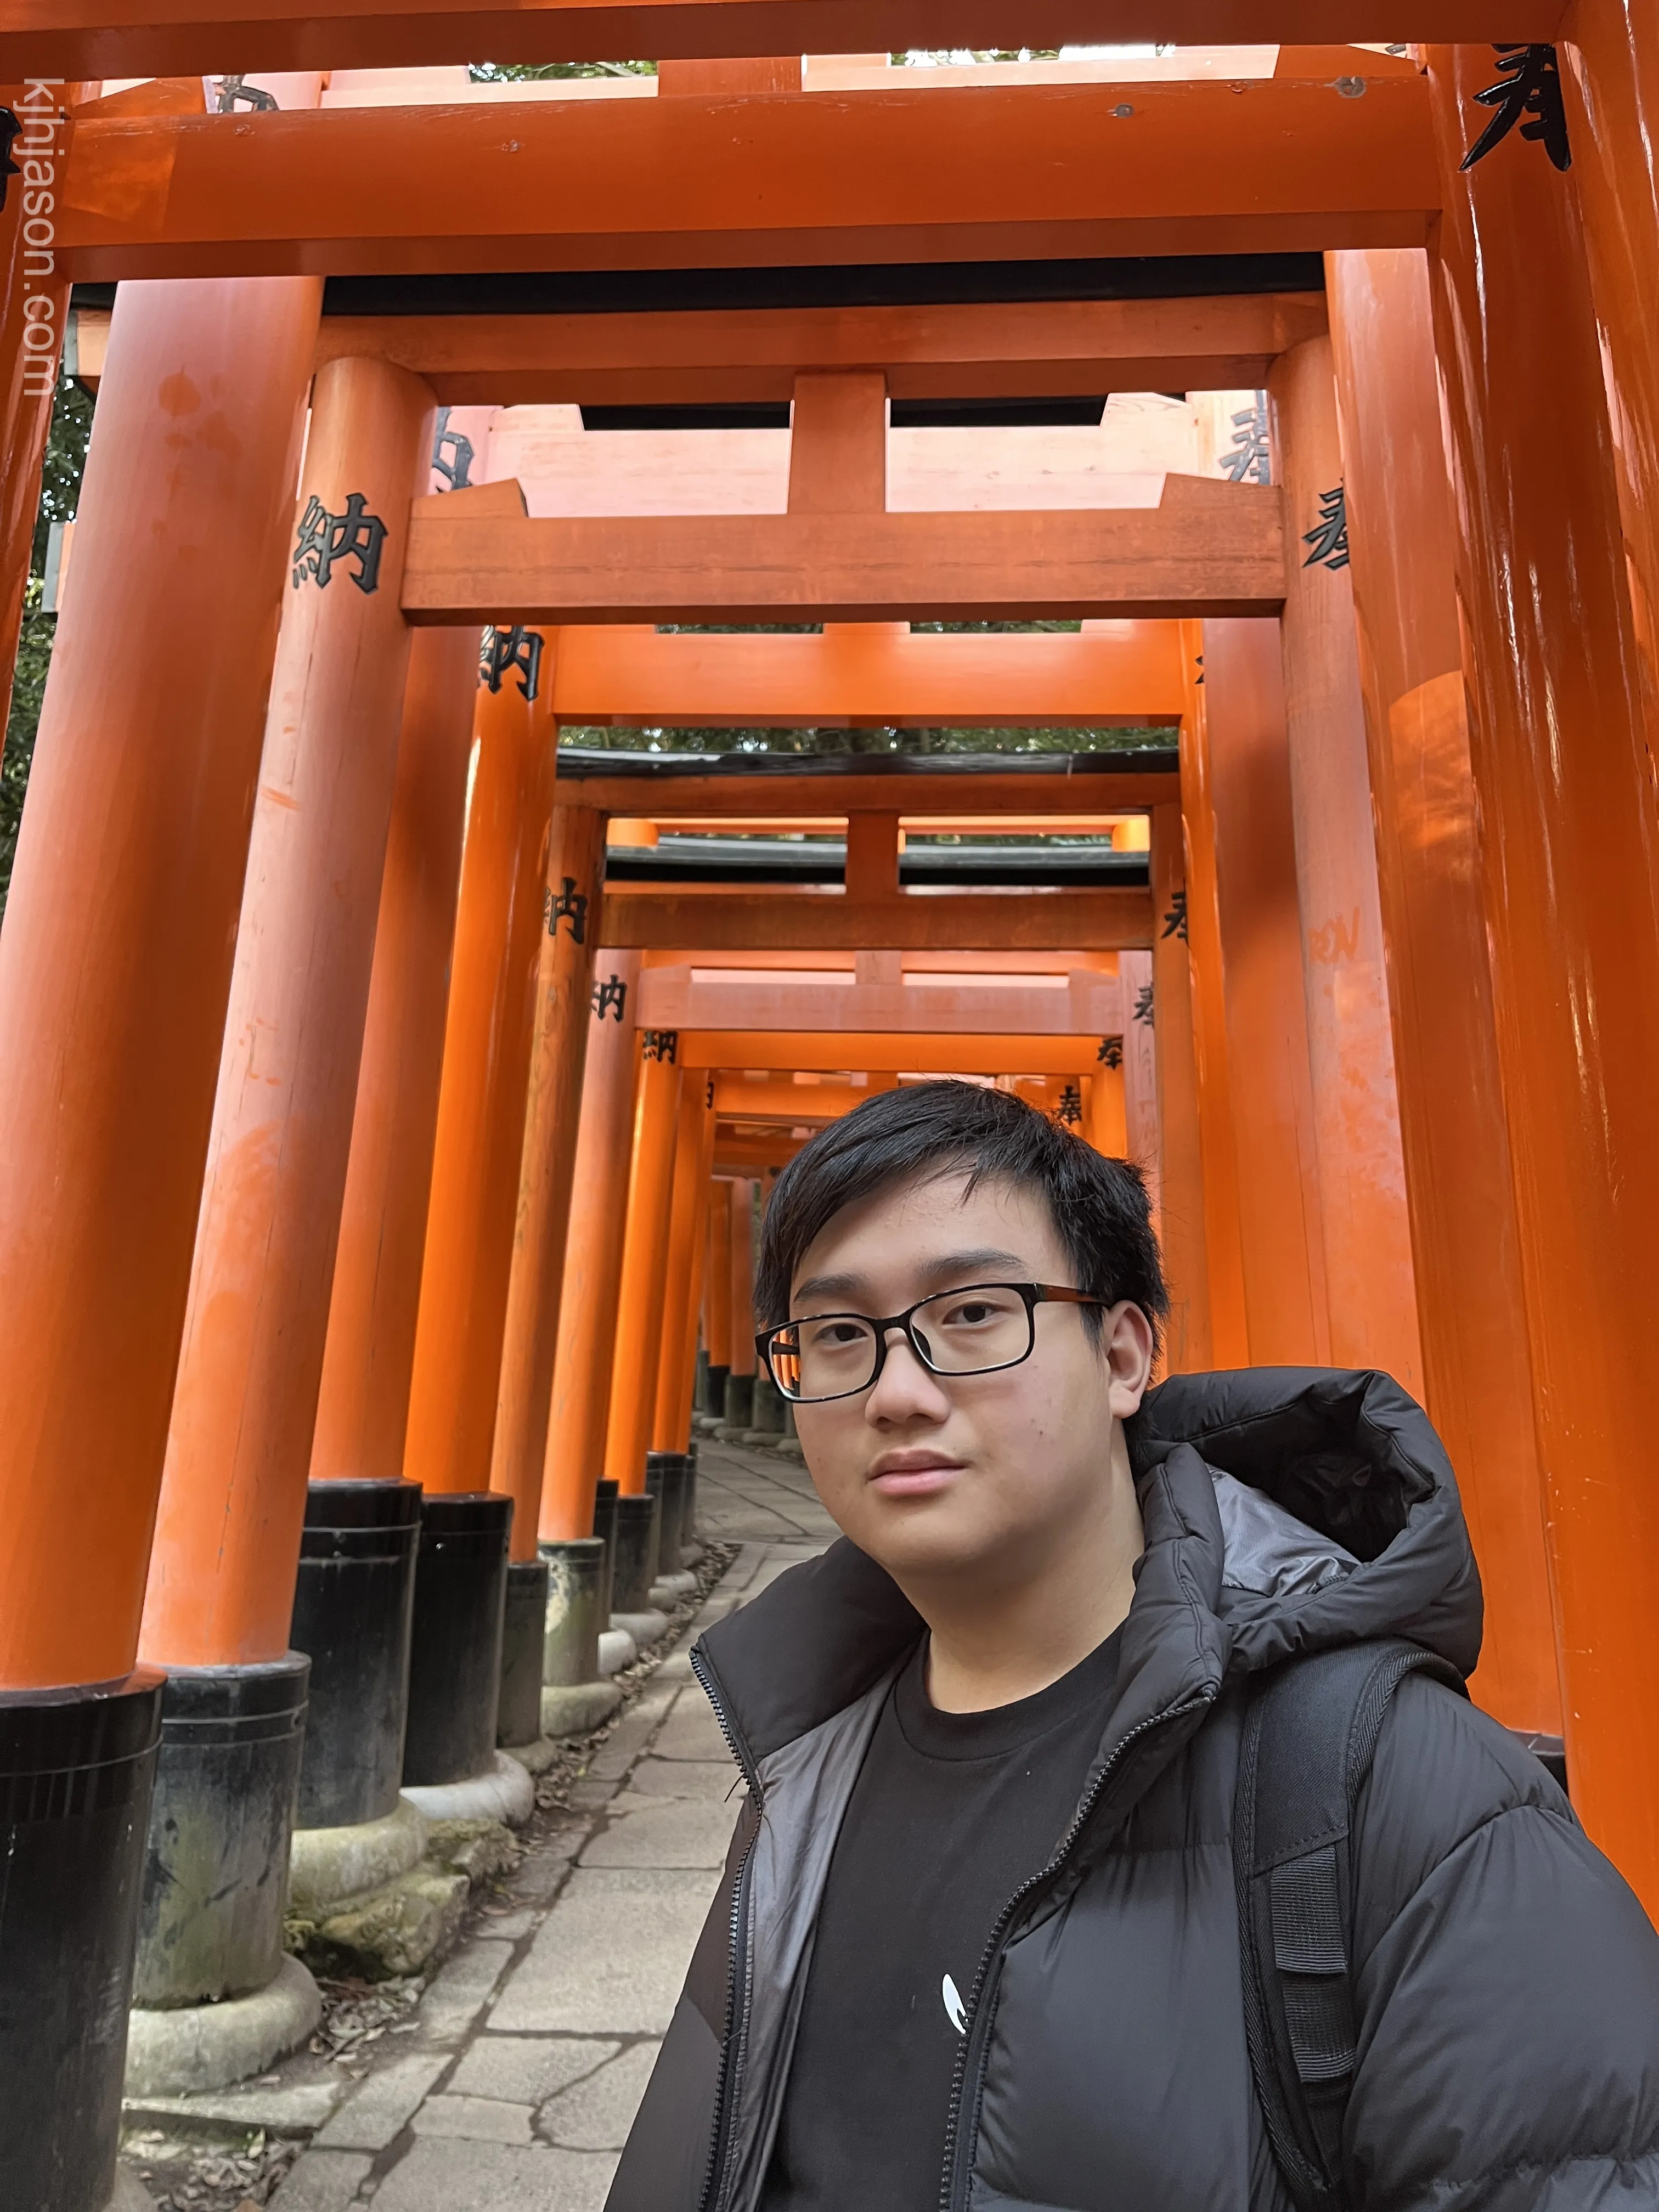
x,y
784,178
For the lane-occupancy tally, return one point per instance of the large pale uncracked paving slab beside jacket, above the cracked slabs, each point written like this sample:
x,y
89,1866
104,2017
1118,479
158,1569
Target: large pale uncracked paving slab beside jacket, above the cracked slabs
x,y
581,1979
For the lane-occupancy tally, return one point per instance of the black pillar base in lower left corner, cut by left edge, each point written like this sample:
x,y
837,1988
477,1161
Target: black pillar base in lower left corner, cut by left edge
x,y
76,1771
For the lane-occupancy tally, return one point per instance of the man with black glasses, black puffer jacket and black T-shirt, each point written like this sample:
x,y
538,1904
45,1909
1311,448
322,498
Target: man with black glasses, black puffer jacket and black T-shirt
x,y
979,1941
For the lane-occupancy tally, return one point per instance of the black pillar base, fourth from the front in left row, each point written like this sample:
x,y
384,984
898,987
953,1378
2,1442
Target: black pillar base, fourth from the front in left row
x,y
457,1645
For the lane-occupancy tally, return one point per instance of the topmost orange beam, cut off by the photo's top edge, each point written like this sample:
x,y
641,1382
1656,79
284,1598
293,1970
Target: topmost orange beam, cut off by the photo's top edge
x,y
138,39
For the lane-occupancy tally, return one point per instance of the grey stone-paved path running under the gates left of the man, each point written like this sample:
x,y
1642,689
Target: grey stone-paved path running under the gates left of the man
x,y
521,2069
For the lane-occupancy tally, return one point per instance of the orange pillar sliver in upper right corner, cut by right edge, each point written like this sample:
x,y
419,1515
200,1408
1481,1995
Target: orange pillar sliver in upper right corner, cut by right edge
x,y
1611,96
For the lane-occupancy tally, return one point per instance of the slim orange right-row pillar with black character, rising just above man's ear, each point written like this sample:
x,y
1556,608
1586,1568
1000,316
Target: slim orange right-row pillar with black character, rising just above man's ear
x,y
1178,1105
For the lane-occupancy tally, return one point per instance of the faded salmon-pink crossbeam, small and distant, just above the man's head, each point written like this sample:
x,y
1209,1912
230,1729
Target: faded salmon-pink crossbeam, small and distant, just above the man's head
x,y
1092,1005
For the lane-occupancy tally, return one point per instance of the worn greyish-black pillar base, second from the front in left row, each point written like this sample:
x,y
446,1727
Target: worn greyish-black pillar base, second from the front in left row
x,y
222,1819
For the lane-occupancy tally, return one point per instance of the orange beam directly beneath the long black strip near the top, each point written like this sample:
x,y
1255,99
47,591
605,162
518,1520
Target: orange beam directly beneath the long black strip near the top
x,y
1019,351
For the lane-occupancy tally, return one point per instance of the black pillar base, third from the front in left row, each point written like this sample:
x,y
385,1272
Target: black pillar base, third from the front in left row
x,y
353,1609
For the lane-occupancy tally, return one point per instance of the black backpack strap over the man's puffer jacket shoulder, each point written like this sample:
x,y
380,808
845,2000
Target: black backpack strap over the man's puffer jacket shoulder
x,y
1306,1749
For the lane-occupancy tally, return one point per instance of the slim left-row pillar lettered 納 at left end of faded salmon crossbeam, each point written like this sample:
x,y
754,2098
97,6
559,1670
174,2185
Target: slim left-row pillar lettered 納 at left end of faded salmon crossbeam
x,y
587,1344
